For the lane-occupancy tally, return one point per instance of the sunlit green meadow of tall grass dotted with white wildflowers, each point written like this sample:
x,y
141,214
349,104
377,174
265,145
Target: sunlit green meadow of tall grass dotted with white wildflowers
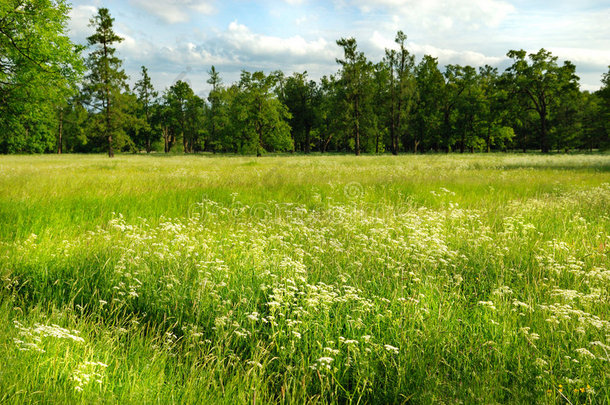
x,y
323,279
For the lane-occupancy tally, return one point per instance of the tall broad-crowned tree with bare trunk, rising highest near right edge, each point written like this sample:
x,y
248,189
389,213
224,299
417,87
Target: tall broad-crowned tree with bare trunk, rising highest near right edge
x,y
539,85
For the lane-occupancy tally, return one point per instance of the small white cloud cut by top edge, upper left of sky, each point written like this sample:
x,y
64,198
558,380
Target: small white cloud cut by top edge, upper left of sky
x,y
175,11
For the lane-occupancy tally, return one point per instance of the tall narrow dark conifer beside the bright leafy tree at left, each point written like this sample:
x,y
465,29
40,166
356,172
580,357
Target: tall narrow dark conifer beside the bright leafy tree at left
x,y
106,80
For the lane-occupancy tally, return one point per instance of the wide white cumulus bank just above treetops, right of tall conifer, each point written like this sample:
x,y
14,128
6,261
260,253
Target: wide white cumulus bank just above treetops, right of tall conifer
x,y
230,50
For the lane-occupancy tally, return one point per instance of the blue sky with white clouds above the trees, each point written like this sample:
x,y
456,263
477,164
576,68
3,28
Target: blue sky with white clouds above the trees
x,y
182,39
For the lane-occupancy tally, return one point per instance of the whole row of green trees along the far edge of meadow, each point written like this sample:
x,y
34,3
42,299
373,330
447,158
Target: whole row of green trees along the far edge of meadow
x,y
54,101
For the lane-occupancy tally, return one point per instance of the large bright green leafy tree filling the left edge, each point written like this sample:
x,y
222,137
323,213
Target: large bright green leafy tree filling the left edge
x,y
39,69
